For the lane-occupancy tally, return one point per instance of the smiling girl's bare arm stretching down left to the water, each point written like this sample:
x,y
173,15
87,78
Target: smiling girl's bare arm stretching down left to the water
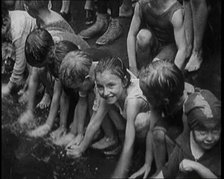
x,y
93,126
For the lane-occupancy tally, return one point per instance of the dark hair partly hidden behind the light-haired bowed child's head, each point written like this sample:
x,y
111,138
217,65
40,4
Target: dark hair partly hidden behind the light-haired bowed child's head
x,y
57,54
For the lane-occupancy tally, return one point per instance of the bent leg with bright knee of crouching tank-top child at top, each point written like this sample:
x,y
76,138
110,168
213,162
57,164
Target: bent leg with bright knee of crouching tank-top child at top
x,y
144,42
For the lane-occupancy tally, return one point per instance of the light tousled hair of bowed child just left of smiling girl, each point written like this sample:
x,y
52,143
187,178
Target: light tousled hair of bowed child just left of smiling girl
x,y
74,68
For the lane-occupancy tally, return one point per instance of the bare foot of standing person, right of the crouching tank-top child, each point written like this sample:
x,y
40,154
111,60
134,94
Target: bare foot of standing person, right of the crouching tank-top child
x,y
194,62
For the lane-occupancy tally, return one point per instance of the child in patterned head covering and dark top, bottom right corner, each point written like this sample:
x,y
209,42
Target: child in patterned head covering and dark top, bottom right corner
x,y
198,153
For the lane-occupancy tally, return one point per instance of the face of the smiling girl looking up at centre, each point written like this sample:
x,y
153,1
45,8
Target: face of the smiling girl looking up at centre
x,y
110,86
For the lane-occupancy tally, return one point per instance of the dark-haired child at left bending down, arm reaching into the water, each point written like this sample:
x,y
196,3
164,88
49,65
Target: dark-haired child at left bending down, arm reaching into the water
x,y
38,44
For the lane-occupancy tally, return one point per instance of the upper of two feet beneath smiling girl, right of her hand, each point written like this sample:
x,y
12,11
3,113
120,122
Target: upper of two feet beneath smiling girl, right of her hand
x,y
104,143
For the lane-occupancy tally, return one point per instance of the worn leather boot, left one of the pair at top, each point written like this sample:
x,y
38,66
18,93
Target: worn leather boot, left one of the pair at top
x,y
99,27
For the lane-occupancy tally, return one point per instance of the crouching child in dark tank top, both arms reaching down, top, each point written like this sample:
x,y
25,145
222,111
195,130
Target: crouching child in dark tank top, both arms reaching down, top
x,y
156,33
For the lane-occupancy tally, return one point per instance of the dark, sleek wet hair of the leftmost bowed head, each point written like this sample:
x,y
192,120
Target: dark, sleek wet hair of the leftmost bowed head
x,y
37,46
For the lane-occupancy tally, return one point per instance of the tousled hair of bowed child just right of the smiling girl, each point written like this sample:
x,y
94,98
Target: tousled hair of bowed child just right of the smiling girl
x,y
162,79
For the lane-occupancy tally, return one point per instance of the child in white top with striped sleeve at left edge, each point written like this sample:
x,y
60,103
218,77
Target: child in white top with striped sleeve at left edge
x,y
16,25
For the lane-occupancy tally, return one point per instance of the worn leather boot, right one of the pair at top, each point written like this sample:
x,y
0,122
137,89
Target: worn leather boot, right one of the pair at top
x,y
113,32
